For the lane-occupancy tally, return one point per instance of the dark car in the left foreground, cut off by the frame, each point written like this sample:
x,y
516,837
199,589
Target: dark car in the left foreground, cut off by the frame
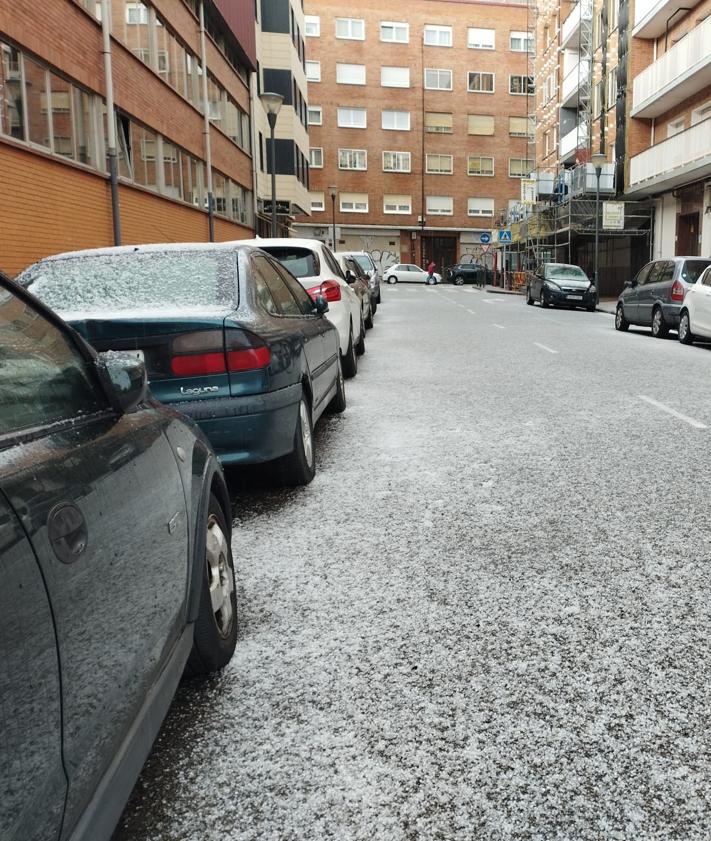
x,y
116,573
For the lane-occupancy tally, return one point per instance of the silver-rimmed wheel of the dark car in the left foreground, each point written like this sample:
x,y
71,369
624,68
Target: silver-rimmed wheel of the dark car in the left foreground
x,y
215,634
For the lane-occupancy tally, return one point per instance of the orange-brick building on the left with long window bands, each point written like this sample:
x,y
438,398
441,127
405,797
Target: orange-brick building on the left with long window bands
x,y
53,139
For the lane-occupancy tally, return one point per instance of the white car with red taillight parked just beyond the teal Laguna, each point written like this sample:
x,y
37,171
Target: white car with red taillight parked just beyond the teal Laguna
x,y
312,263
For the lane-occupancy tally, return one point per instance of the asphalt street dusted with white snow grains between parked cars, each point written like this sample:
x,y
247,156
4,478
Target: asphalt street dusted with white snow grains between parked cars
x,y
487,618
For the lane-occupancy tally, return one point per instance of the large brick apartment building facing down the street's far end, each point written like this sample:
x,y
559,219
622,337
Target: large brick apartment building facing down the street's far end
x,y
419,118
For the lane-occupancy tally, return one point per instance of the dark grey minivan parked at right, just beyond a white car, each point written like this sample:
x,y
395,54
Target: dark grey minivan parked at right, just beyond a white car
x,y
654,297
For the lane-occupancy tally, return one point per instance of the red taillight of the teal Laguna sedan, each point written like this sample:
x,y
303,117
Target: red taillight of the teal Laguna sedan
x,y
207,352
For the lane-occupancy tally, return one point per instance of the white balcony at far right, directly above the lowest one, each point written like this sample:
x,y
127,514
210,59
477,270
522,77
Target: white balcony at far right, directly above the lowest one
x,y
681,72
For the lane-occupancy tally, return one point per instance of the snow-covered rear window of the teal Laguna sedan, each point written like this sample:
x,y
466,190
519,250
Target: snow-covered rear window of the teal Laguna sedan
x,y
146,280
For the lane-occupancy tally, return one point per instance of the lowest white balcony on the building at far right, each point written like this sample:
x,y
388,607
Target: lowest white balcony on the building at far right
x,y
683,157
